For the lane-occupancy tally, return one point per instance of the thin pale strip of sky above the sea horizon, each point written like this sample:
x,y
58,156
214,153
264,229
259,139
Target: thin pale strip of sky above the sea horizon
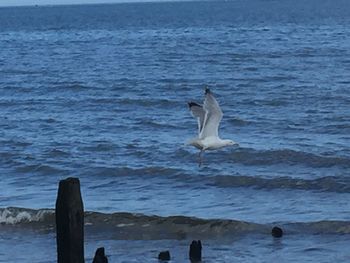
x,y
52,2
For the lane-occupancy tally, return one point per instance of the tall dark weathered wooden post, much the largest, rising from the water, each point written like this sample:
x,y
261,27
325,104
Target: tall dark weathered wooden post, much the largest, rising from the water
x,y
70,222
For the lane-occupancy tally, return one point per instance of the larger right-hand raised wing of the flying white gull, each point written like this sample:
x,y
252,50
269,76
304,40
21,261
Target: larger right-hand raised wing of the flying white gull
x,y
213,116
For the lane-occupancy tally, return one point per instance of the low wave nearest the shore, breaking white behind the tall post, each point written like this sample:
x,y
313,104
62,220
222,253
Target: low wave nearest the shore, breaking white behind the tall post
x,y
124,225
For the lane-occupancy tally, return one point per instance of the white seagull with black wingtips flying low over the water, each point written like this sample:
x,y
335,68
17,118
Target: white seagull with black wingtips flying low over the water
x,y
208,116
